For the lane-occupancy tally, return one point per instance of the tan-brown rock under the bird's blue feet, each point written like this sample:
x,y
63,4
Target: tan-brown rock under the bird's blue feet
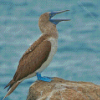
x,y
60,89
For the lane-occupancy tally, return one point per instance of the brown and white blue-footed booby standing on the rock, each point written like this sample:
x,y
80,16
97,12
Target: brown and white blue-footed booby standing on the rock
x,y
39,55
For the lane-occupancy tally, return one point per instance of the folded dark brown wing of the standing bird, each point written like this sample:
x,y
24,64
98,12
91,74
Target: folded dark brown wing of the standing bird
x,y
33,58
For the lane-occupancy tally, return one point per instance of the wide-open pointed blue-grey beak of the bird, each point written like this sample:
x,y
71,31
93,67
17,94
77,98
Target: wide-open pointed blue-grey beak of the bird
x,y
56,21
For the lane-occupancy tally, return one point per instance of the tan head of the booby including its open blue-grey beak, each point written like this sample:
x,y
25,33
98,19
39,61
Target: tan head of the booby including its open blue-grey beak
x,y
46,23
